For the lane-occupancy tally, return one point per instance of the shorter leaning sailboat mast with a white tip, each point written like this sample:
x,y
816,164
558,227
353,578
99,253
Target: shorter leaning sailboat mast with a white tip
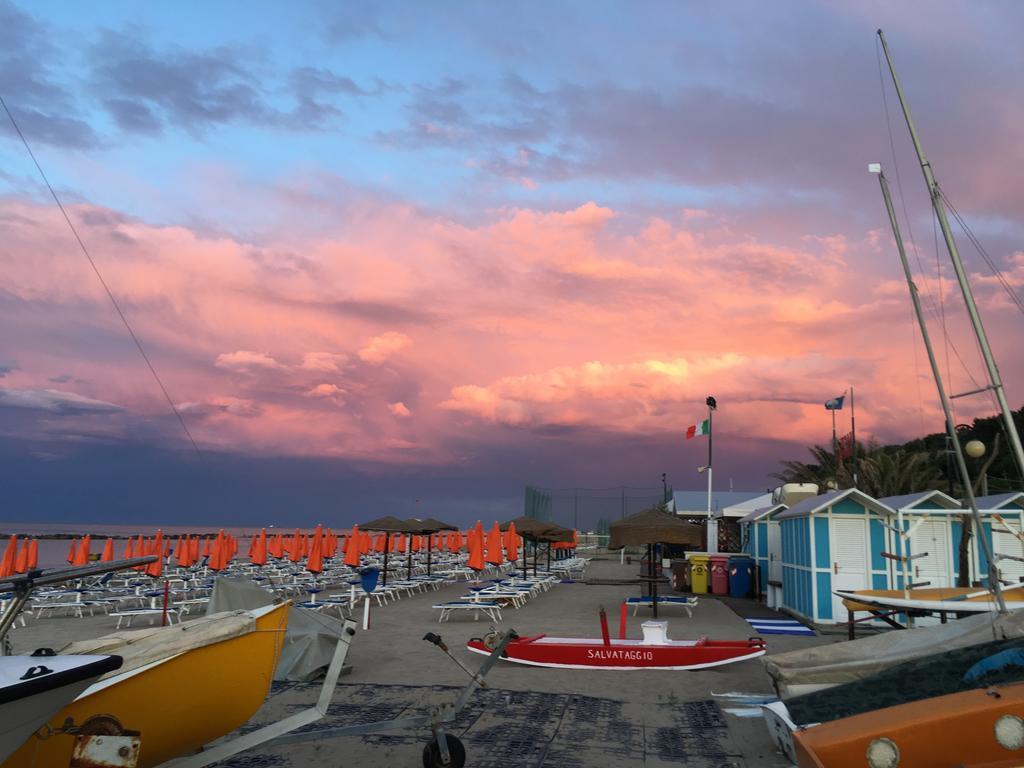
x,y
994,574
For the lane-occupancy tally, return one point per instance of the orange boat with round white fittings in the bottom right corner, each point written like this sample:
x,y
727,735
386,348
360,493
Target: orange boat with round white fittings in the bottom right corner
x,y
980,729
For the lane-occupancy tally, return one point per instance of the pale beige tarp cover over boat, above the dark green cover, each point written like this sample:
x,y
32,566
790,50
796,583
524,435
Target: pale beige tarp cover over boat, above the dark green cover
x,y
799,671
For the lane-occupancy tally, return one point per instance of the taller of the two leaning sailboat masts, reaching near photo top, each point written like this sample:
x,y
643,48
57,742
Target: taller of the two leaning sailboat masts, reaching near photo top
x,y
996,381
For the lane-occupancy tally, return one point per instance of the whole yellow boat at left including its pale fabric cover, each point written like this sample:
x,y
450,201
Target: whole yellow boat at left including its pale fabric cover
x,y
181,688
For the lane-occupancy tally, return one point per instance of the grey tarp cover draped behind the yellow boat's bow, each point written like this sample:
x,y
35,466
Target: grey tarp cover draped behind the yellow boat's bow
x,y
312,637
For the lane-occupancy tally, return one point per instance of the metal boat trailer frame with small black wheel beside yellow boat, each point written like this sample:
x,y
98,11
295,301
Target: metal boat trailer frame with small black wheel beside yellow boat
x,y
443,751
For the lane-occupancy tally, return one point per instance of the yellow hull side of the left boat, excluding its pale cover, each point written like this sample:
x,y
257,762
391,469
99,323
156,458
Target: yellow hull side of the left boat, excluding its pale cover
x,y
178,704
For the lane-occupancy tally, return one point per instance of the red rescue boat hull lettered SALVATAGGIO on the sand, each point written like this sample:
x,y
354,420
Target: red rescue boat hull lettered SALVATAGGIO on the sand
x,y
580,654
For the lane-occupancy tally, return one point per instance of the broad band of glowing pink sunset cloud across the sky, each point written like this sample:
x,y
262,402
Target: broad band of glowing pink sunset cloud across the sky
x,y
586,318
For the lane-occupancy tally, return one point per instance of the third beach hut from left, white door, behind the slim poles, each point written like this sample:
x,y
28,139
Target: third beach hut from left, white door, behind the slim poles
x,y
933,522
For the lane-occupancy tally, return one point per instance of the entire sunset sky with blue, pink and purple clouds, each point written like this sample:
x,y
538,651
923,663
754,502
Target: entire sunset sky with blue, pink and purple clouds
x,y
408,259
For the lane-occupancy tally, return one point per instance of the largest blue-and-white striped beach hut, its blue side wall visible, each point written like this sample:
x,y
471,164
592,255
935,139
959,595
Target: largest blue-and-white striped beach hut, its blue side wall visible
x,y
833,541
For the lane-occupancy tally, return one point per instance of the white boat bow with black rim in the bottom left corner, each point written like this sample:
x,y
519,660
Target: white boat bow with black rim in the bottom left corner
x,y
30,696
